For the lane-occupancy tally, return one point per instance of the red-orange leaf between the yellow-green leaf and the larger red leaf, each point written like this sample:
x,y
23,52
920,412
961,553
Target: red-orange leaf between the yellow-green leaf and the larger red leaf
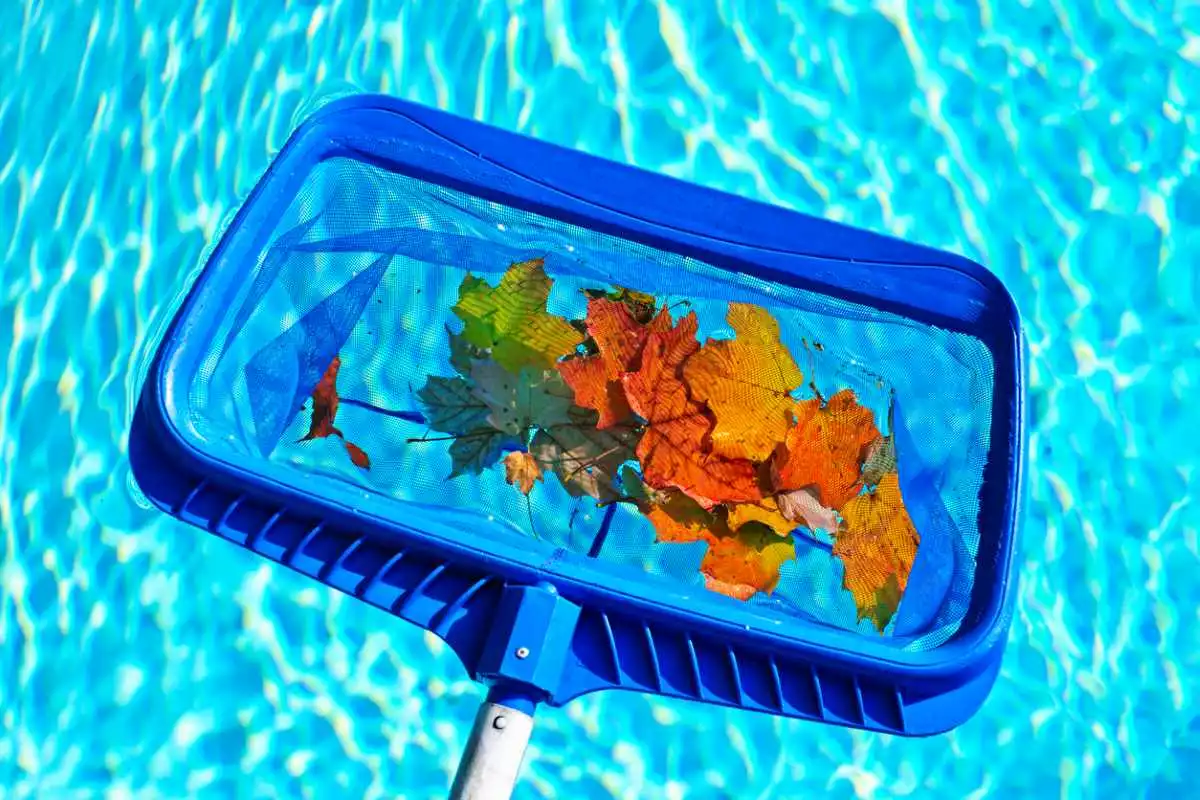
x,y
619,339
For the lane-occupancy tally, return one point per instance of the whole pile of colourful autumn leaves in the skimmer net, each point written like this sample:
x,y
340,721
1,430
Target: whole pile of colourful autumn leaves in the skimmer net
x,y
709,441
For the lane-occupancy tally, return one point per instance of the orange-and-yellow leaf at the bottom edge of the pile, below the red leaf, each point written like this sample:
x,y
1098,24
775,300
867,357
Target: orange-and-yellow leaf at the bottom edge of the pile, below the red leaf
x,y
747,563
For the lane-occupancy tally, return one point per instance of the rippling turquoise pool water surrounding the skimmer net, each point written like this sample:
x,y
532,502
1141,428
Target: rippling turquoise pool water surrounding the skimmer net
x,y
1055,142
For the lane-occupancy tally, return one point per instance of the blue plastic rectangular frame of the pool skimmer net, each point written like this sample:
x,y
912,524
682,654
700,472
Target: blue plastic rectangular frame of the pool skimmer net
x,y
597,631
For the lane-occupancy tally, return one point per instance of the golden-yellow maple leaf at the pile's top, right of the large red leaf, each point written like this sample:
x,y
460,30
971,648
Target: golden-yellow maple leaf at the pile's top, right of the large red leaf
x,y
747,382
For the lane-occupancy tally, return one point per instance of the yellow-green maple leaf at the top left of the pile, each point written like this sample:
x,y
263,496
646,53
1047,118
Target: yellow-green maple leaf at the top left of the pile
x,y
512,321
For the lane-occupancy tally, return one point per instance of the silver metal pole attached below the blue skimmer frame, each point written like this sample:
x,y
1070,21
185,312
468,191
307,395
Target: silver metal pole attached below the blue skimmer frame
x,y
493,761
